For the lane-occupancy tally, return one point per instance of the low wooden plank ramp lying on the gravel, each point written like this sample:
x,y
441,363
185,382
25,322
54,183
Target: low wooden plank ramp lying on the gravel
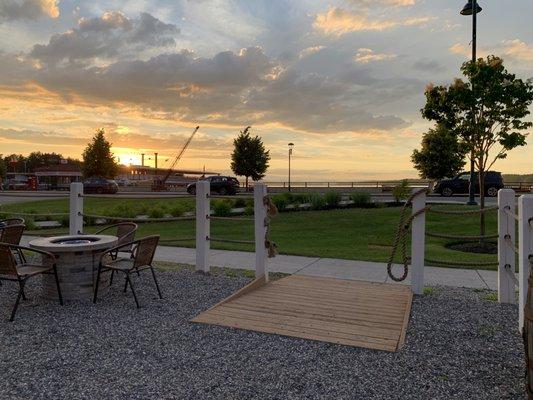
x,y
352,313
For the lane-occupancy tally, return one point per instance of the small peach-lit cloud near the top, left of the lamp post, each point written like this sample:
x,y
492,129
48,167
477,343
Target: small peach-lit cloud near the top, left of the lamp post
x,y
338,21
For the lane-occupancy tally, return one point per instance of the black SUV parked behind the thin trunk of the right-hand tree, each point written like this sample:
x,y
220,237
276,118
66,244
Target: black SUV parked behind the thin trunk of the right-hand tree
x,y
460,184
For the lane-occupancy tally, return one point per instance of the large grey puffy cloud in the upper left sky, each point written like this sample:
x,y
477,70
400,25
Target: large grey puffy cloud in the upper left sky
x,y
105,37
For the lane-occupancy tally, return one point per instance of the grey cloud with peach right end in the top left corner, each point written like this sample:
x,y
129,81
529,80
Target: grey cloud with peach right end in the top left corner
x,y
28,9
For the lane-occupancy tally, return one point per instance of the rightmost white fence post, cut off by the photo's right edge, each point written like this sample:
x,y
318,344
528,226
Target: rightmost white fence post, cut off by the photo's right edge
x,y
525,245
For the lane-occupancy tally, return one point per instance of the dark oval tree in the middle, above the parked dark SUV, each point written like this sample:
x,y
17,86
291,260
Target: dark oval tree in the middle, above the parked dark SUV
x,y
249,157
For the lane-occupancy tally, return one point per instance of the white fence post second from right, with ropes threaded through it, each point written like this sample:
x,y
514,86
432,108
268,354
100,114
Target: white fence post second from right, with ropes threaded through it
x,y
506,252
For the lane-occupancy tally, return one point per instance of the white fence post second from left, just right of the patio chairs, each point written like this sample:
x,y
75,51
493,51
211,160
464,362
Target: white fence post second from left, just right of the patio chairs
x,y
203,228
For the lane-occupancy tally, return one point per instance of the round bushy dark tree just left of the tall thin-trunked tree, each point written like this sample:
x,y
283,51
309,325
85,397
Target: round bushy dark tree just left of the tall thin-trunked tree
x,y
441,155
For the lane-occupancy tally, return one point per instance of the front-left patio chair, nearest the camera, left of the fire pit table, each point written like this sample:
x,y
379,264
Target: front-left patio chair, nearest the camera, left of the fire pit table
x,y
10,270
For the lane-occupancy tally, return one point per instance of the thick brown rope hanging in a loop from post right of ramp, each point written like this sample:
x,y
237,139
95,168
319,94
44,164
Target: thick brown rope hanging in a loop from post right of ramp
x,y
400,240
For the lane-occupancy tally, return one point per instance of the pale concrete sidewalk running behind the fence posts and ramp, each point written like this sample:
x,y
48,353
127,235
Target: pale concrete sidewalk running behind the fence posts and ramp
x,y
334,268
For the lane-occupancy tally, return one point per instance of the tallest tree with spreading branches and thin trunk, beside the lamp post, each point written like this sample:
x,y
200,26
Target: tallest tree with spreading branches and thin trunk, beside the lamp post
x,y
486,113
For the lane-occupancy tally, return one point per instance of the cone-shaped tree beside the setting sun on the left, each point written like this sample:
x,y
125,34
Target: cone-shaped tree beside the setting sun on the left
x,y
98,159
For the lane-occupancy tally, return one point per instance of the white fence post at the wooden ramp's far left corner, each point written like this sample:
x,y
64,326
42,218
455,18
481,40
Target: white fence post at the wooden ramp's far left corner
x,y
260,215
